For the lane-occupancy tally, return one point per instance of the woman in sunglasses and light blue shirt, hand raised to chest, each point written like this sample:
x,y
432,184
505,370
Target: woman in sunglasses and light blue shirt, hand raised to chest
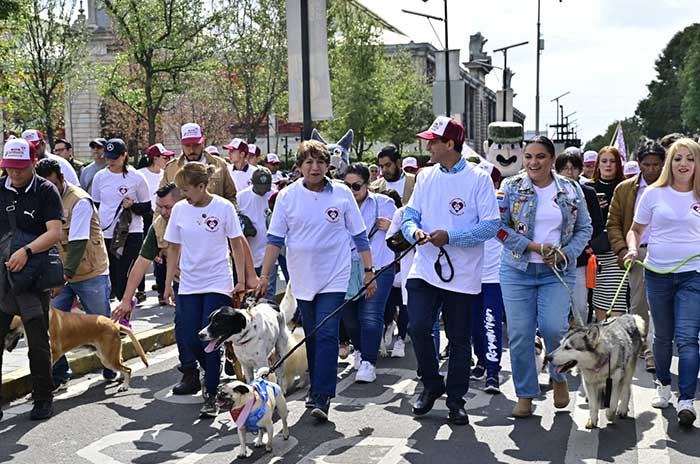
x,y
364,319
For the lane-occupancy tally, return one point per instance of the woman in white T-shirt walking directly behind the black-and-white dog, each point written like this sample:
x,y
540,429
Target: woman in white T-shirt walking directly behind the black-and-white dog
x,y
200,231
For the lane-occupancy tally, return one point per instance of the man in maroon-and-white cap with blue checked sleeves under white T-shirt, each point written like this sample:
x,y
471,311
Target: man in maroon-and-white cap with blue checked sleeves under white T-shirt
x,y
452,212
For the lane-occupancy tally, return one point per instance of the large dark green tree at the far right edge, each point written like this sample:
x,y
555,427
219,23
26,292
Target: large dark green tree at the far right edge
x,y
663,110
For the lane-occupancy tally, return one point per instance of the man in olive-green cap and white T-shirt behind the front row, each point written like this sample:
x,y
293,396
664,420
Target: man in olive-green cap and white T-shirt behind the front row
x,y
253,202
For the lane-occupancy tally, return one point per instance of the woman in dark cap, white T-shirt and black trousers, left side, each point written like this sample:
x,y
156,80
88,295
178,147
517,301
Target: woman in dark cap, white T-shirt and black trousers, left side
x,y
117,191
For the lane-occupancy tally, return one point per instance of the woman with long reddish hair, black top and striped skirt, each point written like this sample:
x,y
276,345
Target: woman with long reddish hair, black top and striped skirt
x,y
607,175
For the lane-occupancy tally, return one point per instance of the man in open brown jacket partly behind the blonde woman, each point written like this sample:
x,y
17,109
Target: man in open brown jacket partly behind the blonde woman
x,y
650,157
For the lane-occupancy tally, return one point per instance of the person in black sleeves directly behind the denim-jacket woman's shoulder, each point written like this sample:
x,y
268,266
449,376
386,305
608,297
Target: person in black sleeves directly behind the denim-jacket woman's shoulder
x,y
571,165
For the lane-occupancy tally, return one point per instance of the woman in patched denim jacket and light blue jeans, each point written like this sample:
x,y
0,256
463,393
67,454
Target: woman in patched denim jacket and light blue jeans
x,y
544,227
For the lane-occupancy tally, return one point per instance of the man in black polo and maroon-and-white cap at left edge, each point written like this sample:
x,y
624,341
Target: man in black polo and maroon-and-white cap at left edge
x,y
37,212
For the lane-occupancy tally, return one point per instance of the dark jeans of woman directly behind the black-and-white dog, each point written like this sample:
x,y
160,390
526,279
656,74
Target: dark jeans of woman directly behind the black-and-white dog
x,y
193,316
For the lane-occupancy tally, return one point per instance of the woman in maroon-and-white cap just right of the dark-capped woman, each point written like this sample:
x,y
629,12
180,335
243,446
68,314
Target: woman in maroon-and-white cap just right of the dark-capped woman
x,y
157,157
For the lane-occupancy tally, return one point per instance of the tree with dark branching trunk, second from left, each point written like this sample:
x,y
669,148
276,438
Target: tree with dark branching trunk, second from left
x,y
163,42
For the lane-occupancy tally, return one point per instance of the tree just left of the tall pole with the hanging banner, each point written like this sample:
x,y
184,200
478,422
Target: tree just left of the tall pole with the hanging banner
x,y
252,50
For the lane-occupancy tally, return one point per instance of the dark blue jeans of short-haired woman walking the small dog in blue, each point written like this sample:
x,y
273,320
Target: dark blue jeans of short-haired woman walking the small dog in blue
x,y
322,347
